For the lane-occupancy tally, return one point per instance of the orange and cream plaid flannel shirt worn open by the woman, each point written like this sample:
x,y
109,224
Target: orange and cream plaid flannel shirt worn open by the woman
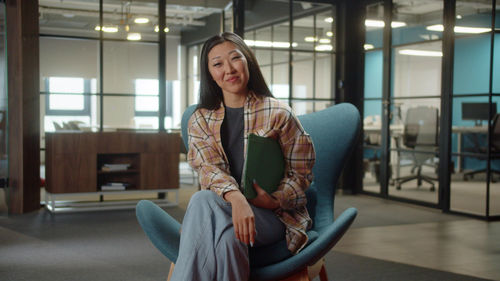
x,y
264,116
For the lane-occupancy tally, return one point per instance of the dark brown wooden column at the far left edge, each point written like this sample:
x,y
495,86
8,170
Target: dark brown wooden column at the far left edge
x,y
24,105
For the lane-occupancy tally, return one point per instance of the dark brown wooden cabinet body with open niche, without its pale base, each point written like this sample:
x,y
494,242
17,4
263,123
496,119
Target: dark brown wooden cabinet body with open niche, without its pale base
x,y
74,161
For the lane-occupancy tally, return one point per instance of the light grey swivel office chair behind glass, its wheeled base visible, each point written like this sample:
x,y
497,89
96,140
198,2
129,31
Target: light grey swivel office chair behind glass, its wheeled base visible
x,y
420,136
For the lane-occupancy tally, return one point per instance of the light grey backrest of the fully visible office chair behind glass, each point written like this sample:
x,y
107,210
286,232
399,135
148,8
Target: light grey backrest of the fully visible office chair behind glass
x,y
421,127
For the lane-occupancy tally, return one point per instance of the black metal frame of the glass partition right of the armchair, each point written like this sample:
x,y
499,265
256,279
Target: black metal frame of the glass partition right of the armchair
x,y
445,154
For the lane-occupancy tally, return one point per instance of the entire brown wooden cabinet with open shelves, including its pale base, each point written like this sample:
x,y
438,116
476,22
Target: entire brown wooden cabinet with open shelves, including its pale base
x,y
75,160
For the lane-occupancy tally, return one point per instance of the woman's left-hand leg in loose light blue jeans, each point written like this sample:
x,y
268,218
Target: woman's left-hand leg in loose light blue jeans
x,y
208,248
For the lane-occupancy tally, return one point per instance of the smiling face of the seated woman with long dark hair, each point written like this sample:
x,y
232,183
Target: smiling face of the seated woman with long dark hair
x,y
228,67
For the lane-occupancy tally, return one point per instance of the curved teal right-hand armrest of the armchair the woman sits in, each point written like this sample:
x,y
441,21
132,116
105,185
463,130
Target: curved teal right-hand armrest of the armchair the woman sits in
x,y
328,237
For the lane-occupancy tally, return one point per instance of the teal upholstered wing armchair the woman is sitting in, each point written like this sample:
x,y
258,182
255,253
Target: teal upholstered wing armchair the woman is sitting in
x,y
338,125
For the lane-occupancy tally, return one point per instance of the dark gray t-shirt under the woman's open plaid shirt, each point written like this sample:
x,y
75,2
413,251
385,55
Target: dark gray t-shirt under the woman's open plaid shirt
x,y
232,133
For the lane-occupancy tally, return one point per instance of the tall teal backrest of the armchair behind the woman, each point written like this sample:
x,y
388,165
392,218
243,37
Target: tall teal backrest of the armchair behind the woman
x,y
334,131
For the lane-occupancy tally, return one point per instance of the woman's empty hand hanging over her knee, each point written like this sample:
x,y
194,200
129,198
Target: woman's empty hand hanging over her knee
x,y
243,217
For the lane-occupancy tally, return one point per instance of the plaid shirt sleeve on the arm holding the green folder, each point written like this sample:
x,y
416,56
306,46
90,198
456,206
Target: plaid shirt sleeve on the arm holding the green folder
x,y
299,155
